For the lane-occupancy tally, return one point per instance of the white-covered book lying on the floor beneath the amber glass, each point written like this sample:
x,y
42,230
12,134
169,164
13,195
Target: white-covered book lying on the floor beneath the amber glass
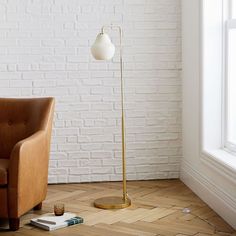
x,y
51,222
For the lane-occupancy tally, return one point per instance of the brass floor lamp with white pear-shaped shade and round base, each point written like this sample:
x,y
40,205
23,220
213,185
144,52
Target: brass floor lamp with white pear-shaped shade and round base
x,y
103,49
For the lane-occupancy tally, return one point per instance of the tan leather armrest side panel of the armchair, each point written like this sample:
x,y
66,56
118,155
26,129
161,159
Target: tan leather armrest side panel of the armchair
x,y
28,173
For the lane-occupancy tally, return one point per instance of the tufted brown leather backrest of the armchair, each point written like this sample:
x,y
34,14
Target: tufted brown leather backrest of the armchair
x,y
20,118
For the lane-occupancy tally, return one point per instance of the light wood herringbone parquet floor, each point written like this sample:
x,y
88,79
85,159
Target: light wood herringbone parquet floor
x,y
156,210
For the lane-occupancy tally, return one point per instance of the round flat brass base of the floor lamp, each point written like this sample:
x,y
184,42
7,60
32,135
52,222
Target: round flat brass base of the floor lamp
x,y
112,203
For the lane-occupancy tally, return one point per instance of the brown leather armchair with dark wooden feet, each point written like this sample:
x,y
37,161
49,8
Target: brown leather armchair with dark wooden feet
x,y
25,133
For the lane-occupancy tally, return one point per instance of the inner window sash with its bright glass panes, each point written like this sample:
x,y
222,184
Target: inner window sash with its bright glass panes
x,y
230,78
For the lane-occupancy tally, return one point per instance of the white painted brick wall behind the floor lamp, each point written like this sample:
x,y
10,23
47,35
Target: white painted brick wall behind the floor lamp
x,y
45,51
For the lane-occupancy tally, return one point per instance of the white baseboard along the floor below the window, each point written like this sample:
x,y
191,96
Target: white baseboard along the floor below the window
x,y
219,201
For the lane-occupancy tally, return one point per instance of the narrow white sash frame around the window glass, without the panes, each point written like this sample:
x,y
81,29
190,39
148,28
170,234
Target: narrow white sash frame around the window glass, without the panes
x,y
230,23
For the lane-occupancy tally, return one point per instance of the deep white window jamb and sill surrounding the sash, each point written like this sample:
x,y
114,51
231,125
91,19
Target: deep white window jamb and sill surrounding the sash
x,y
212,54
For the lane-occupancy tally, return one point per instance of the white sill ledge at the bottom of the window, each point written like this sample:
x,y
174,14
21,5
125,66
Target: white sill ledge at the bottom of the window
x,y
222,161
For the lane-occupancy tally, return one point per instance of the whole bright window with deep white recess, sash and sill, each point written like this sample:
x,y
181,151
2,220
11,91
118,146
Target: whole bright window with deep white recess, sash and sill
x,y
218,85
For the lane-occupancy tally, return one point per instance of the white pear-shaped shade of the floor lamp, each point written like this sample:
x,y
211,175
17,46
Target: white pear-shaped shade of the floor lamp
x,y
103,48
